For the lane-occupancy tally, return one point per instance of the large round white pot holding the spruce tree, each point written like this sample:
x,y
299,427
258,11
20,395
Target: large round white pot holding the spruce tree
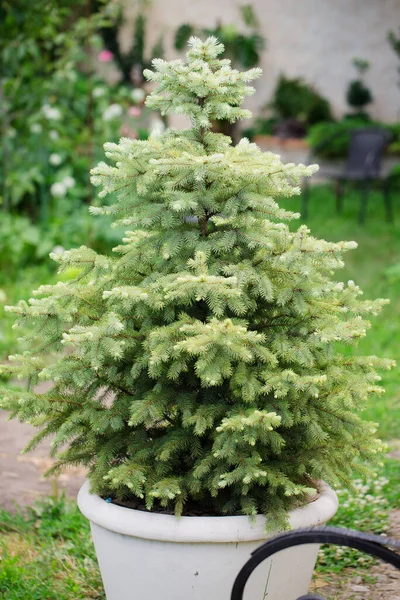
x,y
152,556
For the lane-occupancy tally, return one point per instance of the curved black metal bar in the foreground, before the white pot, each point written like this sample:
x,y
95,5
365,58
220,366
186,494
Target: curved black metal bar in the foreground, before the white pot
x,y
373,545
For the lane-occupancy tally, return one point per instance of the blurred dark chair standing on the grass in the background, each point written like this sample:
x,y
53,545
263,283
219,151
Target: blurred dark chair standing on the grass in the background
x,y
363,165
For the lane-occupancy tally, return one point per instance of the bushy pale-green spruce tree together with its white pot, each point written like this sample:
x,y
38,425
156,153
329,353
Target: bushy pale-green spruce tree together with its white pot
x,y
197,372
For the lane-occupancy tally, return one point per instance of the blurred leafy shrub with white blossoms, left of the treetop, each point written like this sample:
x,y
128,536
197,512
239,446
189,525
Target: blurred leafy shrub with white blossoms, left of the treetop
x,y
55,110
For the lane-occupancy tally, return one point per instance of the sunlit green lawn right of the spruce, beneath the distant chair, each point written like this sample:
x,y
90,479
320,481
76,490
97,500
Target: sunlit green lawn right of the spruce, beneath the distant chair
x,y
378,249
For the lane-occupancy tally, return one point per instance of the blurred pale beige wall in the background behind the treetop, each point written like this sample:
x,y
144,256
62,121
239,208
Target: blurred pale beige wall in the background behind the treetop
x,y
316,39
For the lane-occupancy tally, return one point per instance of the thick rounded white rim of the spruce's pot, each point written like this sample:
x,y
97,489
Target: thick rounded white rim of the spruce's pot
x,y
168,528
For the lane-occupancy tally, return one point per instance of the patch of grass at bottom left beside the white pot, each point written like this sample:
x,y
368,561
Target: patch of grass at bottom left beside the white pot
x,y
47,554
